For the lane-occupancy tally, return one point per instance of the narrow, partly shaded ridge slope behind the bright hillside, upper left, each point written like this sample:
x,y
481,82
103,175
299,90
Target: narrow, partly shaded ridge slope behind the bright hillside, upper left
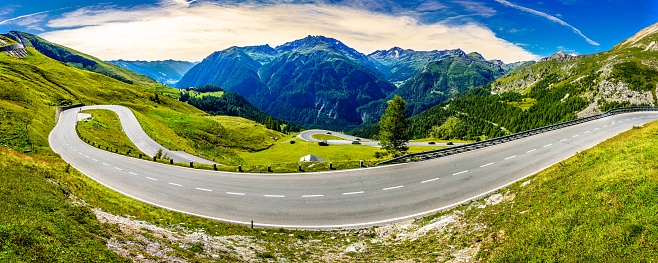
x,y
80,60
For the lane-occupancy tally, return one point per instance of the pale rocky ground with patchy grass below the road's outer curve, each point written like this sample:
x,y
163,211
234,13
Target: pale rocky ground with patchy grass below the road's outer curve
x,y
144,242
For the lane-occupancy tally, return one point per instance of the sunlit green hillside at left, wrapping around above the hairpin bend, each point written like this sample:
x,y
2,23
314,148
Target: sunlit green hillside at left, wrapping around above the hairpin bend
x,y
30,87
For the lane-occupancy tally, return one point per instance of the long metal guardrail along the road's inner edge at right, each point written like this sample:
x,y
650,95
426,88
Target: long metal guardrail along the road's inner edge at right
x,y
515,136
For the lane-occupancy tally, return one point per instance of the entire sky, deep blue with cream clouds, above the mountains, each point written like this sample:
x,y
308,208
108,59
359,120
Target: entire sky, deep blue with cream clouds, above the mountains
x,y
510,30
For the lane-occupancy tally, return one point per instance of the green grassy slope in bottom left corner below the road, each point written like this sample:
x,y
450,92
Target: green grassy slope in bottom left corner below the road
x,y
39,222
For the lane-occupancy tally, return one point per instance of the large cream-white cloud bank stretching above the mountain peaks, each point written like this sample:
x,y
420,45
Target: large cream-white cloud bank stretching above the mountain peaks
x,y
193,32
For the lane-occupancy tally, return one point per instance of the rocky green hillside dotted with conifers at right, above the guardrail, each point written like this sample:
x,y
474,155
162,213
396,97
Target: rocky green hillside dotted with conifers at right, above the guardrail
x,y
545,93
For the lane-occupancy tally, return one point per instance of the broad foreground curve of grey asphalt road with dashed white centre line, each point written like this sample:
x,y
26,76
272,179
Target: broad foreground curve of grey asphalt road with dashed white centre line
x,y
347,198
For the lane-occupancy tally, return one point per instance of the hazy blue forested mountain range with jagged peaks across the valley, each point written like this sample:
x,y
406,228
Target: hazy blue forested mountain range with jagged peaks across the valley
x,y
319,82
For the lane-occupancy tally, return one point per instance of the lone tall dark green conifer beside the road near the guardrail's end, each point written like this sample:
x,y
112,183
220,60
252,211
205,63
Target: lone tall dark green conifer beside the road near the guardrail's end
x,y
393,127
